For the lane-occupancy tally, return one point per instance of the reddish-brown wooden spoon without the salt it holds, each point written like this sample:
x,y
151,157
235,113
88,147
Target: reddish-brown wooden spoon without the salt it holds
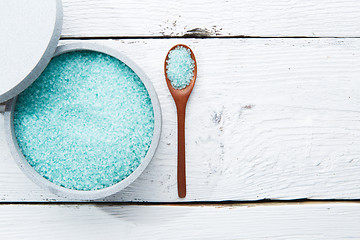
x,y
181,97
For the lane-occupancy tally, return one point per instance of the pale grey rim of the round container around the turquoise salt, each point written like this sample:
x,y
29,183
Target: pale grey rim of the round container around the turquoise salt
x,y
86,194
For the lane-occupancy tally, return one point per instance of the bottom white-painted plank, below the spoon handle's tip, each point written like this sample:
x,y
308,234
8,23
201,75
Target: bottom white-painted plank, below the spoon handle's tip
x,y
319,221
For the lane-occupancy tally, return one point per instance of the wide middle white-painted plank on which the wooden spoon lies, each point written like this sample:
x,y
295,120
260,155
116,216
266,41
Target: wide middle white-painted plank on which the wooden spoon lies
x,y
268,118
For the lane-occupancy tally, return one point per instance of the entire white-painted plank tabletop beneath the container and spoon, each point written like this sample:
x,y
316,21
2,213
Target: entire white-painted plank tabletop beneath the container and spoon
x,y
275,115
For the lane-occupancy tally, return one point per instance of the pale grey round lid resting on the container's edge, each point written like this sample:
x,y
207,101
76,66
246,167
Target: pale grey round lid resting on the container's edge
x,y
30,32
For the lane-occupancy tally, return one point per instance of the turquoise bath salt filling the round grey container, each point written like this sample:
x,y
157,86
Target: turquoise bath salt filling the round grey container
x,y
86,123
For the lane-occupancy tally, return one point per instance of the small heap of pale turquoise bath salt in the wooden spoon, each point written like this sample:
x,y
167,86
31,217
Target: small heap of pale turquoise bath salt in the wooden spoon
x,y
180,67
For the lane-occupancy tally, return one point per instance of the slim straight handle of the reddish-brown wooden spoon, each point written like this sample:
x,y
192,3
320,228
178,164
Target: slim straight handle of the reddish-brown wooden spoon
x,y
181,175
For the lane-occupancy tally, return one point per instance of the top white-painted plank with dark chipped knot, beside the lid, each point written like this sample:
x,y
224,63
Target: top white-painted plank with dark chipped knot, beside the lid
x,y
214,18
